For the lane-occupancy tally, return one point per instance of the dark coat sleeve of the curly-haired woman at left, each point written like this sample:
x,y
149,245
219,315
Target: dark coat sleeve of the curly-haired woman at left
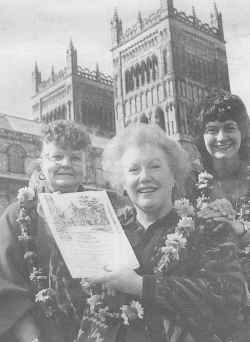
x,y
15,296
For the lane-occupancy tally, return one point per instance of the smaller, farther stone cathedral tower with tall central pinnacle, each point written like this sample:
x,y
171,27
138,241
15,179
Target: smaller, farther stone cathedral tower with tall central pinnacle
x,y
75,93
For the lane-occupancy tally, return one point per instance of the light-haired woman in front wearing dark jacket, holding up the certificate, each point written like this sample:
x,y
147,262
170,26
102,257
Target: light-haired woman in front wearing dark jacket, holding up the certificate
x,y
189,286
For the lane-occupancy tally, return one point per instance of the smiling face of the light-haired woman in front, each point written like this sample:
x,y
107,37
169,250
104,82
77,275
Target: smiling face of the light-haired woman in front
x,y
148,179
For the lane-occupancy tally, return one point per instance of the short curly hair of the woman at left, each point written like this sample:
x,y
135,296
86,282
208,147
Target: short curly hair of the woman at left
x,y
65,133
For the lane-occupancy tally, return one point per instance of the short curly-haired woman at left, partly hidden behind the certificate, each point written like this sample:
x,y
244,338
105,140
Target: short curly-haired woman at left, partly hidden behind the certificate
x,y
31,268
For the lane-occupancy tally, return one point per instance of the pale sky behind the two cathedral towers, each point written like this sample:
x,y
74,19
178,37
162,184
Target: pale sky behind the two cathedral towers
x,y
32,30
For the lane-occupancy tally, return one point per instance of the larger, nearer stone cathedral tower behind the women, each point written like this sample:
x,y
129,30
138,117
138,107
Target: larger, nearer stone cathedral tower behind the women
x,y
165,64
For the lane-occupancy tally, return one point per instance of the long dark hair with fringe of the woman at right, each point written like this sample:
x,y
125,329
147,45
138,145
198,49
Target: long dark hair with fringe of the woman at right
x,y
220,106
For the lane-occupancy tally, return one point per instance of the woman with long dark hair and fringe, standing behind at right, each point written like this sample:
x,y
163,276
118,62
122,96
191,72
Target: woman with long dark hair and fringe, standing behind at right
x,y
223,140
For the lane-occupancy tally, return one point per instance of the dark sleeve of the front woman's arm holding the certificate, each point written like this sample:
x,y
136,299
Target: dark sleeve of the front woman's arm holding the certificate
x,y
209,292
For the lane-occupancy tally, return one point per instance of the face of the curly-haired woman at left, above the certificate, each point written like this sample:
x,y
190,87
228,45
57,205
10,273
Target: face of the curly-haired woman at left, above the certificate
x,y
63,168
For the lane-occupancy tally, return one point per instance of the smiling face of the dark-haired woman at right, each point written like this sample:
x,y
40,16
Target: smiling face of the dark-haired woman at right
x,y
222,139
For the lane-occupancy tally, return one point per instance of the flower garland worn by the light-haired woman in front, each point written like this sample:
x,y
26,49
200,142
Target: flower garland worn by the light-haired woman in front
x,y
101,315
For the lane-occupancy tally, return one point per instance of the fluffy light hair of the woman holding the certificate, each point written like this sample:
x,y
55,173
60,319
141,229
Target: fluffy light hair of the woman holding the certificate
x,y
138,135
